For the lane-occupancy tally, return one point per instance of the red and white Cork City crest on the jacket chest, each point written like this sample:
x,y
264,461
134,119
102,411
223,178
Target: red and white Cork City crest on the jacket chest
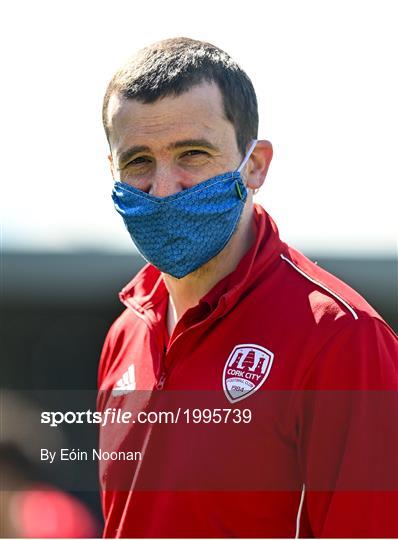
x,y
246,370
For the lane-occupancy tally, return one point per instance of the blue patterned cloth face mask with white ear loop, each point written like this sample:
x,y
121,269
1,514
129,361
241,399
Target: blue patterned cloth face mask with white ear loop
x,y
183,231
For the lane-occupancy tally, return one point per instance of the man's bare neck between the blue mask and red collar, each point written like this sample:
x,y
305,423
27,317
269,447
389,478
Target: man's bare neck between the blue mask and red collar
x,y
186,292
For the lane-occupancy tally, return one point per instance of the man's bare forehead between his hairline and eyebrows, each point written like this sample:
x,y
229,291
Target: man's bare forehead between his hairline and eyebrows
x,y
197,113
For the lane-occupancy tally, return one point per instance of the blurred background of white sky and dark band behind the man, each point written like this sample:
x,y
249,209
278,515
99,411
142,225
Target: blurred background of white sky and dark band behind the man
x,y
326,85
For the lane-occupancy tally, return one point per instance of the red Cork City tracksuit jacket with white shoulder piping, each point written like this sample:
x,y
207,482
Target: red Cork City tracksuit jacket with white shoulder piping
x,y
311,359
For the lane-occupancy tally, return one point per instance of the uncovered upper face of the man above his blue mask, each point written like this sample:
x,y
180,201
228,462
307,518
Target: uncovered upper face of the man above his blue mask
x,y
172,144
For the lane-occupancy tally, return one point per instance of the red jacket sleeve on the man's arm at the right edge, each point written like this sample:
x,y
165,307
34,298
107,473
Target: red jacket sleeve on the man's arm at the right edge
x,y
348,435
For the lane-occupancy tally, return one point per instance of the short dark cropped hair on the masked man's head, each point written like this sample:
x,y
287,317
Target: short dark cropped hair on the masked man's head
x,y
173,66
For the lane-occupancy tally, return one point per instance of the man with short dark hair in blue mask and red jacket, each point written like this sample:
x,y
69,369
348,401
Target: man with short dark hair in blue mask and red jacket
x,y
227,317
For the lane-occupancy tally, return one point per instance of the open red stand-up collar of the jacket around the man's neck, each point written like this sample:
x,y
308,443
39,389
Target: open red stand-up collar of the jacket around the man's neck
x,y
147,288
